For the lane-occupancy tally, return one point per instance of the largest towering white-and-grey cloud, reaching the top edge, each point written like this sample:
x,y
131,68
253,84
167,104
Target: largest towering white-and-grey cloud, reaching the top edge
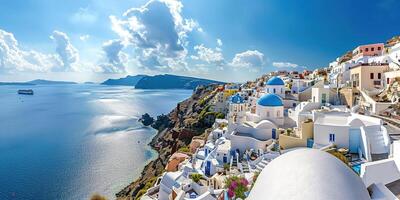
x,y
158,32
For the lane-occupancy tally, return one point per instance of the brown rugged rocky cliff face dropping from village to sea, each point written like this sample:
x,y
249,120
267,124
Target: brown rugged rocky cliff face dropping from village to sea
x,y
185,122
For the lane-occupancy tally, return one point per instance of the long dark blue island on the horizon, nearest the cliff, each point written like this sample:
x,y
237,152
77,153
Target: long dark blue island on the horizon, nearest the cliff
x,y
165,81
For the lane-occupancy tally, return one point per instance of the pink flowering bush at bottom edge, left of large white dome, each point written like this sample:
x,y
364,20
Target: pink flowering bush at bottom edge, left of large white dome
x,y
237,186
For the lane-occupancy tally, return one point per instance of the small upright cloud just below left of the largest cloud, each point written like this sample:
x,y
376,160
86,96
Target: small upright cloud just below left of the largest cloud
x,y
115,59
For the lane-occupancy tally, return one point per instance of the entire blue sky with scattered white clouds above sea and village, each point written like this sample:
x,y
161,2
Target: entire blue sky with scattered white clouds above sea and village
x,y
228,40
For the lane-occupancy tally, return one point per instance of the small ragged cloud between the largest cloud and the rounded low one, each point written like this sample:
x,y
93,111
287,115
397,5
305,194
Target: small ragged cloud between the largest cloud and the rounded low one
x,y
209,55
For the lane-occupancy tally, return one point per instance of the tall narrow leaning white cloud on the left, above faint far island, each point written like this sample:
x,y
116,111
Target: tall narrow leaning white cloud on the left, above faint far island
x,y
69,55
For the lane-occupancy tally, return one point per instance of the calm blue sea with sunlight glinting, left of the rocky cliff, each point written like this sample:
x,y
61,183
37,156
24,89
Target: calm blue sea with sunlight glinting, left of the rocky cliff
x,y
70,141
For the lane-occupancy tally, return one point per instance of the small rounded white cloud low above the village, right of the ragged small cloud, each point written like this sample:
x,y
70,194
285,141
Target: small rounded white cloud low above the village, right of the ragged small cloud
x,y
251,59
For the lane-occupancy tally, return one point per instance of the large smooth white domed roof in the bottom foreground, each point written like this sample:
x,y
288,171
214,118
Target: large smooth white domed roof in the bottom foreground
x,y
308,174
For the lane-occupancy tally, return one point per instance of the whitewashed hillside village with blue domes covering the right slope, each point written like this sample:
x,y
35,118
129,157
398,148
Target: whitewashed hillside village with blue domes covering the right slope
x,y
297,135
